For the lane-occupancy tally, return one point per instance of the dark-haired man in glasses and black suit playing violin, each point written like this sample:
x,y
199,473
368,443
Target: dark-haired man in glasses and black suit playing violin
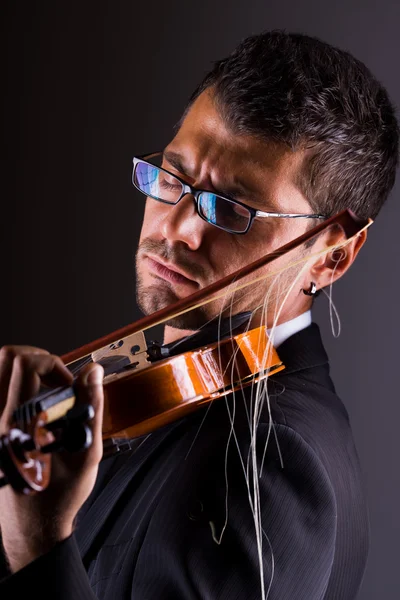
x,y
286,125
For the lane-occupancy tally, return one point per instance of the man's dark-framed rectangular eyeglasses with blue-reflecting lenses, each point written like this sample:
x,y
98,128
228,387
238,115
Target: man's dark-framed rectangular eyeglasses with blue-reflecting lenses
x,y
225,213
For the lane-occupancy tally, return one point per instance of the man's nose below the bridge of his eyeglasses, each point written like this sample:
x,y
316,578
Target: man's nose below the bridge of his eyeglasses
x,y
182,223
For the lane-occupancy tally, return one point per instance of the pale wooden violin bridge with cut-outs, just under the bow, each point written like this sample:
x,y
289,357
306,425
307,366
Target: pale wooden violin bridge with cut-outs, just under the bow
x,y
133,347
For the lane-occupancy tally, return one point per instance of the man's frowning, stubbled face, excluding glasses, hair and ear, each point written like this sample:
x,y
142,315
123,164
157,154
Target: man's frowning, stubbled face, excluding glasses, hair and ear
x,y
179,253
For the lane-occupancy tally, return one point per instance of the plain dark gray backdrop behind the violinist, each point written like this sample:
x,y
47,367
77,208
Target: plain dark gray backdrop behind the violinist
x,y
88,86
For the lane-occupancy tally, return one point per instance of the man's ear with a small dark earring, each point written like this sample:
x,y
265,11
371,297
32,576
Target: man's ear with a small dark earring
x,y
332,266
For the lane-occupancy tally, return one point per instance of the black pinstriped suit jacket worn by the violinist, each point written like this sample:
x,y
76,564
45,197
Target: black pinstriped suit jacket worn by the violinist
x,y
172,519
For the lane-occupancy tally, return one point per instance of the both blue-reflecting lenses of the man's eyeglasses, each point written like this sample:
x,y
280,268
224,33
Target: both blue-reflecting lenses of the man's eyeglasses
x,y
219,211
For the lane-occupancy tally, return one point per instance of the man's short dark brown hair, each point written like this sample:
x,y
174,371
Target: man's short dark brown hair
x,y
299,91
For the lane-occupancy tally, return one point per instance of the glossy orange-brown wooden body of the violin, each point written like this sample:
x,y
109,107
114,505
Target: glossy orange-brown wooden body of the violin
x,y
139,402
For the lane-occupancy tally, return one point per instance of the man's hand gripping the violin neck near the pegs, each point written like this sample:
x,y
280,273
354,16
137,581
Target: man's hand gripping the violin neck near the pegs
x,y
31,525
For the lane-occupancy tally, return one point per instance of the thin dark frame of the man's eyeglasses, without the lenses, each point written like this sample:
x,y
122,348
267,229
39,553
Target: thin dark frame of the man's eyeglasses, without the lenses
x,y
195,192
